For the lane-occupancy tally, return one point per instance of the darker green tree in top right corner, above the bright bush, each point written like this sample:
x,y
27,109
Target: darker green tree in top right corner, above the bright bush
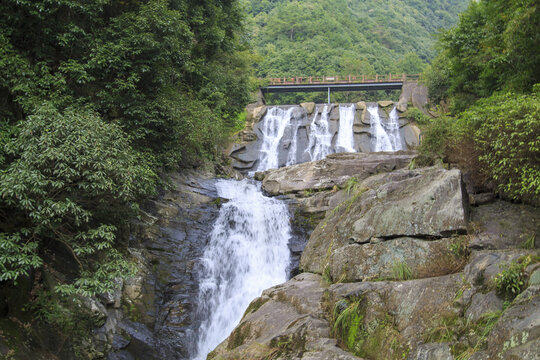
x,y
494,47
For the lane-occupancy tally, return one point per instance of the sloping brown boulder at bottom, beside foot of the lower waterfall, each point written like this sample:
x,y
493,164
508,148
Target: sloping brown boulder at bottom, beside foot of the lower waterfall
x,y
286,322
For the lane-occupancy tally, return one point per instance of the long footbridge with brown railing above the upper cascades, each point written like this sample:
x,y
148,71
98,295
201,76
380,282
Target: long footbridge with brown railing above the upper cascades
x,y
336,83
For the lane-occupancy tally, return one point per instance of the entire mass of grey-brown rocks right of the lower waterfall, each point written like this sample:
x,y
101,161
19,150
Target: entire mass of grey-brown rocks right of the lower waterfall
x,y
399,265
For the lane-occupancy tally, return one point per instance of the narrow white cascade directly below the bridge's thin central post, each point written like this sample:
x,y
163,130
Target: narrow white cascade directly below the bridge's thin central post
x,y
320,138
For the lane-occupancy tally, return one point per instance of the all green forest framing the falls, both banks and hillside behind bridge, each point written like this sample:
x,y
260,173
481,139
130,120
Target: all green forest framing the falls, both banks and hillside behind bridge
x,y
100,98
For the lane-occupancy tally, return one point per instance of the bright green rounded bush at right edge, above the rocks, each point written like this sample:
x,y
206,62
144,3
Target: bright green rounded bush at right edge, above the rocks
x,y
507,133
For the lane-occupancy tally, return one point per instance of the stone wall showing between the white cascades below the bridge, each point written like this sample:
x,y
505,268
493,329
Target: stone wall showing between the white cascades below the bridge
x,y
246,151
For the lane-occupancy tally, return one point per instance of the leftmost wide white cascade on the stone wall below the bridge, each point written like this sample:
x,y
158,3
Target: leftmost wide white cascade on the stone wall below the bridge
x,y
274,123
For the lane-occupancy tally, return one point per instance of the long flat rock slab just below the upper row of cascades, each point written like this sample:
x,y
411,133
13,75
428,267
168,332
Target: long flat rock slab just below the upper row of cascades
x,y
335,170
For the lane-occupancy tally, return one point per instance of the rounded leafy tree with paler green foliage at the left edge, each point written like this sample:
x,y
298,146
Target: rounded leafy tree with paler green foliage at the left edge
x,y
74,180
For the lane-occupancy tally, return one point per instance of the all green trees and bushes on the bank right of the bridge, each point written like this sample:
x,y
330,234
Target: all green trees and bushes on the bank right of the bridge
x,y
485,82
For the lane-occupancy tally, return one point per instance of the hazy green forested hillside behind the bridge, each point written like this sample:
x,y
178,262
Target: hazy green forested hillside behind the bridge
x,y
316,37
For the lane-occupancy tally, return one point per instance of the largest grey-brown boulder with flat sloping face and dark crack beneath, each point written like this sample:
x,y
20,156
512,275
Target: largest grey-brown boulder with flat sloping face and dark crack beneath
x,y
423,204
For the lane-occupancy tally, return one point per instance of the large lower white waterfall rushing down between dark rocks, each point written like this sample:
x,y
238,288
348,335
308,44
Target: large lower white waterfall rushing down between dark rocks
x,y
246,254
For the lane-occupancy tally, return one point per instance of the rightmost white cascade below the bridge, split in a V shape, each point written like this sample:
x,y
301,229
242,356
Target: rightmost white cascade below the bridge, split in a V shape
x,y
382,139
